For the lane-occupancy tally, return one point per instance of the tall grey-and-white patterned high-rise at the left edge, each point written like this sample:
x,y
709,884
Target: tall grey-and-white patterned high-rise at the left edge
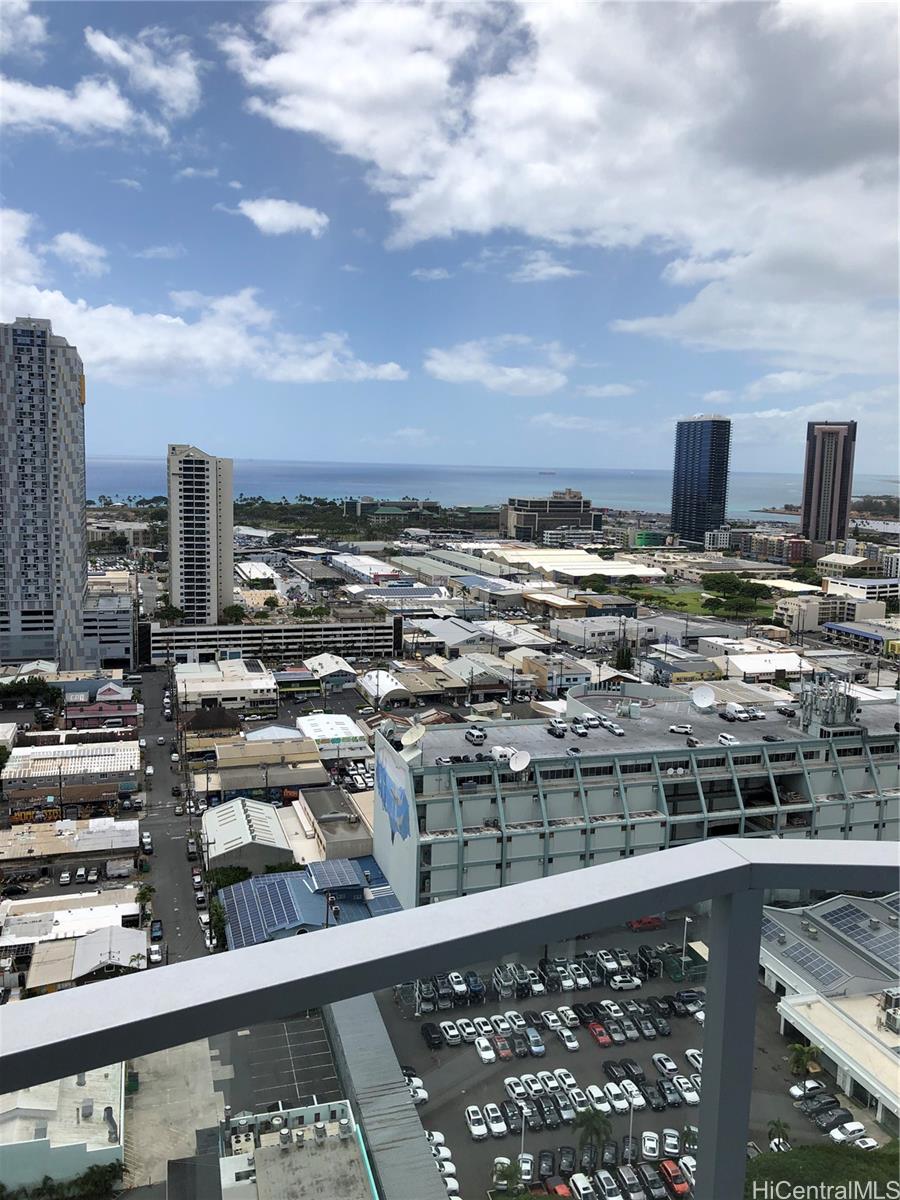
x,y
44,544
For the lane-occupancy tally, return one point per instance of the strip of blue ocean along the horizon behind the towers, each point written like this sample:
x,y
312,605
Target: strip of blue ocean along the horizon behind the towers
x,y
649,491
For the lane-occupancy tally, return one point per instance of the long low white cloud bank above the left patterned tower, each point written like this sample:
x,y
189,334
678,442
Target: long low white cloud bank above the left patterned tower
x,y
211,339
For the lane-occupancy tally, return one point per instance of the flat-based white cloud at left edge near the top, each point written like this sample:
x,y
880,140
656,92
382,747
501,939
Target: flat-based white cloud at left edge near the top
x,y
94,107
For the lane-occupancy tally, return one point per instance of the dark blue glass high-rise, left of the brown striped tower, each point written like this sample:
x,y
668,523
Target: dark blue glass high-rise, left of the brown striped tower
x,y
700,483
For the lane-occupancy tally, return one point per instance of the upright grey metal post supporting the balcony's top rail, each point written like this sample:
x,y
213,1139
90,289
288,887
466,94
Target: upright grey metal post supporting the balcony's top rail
x,y
729,1045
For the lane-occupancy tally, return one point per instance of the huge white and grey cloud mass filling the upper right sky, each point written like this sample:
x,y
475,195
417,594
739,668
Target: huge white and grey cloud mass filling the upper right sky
x,y
758,157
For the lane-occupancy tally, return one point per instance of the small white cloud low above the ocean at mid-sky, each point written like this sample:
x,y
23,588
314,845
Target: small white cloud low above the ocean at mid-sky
x,y
476,363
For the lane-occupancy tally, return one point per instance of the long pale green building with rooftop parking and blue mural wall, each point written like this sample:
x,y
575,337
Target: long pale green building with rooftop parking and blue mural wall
x,y
447,825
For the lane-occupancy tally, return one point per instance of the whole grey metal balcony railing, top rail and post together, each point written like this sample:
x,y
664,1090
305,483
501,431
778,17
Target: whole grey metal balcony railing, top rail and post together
x,y
67,1033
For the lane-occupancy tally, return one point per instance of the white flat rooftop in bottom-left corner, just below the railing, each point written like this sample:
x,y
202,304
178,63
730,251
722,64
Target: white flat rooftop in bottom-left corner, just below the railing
x,y
68,1112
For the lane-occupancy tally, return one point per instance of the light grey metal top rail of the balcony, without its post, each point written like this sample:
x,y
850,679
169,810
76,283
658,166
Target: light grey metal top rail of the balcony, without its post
x,y
50,1037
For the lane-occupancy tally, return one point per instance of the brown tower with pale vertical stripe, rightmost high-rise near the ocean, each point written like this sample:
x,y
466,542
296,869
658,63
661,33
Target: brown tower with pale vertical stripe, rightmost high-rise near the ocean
x,y
829,479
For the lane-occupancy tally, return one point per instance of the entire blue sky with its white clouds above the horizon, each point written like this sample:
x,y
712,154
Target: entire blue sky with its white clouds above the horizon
x,y
441,233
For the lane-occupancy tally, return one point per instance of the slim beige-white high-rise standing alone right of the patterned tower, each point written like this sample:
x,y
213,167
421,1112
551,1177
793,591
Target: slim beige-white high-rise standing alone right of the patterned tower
x,y
201,535
